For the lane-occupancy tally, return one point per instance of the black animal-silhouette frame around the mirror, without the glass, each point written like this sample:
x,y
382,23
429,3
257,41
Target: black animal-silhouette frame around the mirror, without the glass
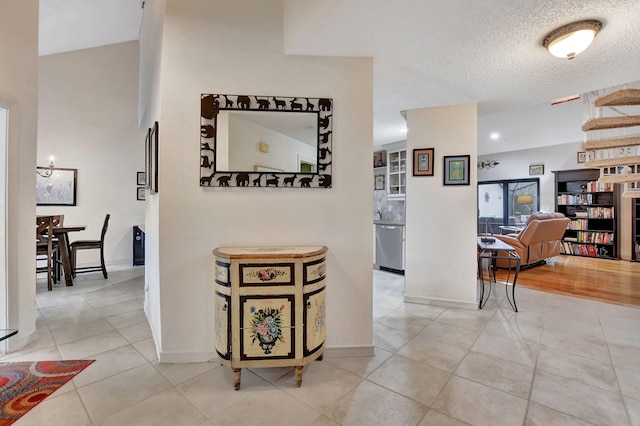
x,y
210,106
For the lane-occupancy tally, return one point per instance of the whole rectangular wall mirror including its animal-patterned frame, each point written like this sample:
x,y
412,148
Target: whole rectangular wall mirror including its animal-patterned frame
x,y
262,141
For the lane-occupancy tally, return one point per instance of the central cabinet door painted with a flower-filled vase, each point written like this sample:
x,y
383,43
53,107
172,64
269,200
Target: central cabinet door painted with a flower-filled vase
x,y
266,327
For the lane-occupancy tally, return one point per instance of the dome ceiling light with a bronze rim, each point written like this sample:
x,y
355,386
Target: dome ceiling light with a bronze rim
x,y
571,39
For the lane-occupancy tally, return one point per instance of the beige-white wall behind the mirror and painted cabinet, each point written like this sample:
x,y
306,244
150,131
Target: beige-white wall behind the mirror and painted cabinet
x,y
236,47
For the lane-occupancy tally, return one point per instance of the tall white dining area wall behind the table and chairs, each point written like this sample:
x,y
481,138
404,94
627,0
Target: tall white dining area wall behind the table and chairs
x,y
88,103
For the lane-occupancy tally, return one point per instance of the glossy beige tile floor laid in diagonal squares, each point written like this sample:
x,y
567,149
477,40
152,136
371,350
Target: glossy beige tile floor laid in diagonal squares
x,y
560,361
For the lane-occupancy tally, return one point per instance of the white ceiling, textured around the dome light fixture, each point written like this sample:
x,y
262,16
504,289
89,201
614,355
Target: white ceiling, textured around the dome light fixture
x,y
431,53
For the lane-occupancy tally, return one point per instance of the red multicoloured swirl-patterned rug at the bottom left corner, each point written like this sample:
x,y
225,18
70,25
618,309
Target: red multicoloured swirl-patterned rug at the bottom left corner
x,y
23,385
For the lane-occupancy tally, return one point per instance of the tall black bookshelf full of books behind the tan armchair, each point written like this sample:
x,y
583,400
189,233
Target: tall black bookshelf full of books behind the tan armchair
x,y
592,208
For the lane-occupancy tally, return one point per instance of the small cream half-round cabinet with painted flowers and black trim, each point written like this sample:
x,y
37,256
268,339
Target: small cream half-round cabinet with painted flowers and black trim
x,y
269,307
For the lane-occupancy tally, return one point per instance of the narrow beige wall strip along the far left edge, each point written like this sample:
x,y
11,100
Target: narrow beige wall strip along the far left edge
x,y
19,93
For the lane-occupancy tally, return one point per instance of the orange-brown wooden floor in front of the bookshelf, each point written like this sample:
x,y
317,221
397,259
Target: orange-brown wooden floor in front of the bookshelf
x,y
611,281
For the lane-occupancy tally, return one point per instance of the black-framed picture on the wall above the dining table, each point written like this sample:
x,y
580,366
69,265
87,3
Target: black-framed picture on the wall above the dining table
x,y
57,189
